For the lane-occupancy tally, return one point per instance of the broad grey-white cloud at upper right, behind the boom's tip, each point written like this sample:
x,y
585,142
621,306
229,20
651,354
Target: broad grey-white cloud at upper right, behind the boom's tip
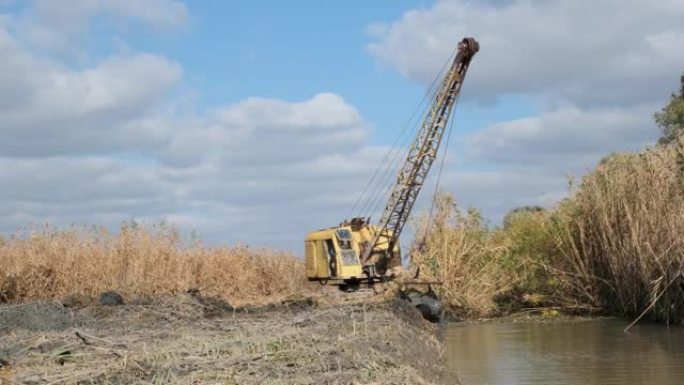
x,y
585,52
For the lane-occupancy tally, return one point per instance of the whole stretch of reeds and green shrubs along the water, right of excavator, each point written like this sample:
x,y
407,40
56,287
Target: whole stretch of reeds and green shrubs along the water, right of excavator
x,y
616,245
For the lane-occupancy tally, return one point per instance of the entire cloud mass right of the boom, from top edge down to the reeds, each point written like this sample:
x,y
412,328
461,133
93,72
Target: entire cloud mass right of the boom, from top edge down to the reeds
x,y
597,70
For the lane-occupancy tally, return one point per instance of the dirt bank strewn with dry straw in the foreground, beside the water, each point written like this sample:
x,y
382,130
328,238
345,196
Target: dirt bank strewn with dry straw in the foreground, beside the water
x,y
183,340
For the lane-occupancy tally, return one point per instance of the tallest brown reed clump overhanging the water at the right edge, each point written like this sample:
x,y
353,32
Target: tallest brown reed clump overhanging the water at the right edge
x,y
623,235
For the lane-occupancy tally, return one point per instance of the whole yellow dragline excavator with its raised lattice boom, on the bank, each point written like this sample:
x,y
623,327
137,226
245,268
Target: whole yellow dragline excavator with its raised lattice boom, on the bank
x,y
356,251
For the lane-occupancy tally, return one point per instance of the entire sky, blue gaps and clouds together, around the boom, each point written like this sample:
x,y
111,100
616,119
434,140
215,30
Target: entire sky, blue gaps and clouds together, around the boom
x,y
259,121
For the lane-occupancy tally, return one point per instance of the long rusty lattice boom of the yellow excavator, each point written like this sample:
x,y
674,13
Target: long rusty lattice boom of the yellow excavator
x,y
423,151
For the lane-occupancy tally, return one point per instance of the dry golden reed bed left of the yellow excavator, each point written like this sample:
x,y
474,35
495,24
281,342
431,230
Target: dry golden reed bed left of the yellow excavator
x,y
51,263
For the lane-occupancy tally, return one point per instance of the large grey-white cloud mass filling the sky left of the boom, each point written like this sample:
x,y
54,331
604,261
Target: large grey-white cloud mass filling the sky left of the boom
x,y
102,144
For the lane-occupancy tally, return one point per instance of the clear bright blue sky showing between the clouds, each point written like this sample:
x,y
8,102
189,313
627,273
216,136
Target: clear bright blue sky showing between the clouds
x,y
274,50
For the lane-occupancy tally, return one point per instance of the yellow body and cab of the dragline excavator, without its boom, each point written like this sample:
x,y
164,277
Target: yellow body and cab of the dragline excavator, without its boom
x,y
334,254
